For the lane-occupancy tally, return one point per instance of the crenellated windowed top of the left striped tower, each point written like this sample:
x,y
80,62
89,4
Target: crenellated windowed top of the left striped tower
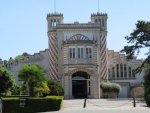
x,y
53,20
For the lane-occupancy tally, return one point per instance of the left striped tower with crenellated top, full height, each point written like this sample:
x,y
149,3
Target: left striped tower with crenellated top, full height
x,y
53,20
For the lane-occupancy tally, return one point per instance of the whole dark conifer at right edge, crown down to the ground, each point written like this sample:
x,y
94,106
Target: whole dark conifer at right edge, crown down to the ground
x,y
139,39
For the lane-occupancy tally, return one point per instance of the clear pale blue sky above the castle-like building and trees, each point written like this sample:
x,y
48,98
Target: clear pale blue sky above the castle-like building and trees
x,y
23,24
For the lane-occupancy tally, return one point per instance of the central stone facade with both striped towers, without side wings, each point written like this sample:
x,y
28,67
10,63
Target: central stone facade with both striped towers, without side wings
x,y
78,54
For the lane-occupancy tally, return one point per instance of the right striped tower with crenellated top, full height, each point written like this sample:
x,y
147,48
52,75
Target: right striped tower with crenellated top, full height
x,y
101,20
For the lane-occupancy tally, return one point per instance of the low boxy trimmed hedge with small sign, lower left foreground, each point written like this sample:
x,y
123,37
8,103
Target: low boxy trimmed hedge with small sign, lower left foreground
x,y
38,104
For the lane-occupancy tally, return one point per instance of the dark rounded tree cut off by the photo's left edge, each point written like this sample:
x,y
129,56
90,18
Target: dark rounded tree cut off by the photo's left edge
x,y
7,81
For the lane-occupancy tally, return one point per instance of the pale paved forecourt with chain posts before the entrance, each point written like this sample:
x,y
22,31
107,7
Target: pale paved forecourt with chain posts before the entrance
x,y
104,106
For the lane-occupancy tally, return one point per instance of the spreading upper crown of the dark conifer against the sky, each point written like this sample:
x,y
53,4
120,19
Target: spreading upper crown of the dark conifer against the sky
x,y
138,39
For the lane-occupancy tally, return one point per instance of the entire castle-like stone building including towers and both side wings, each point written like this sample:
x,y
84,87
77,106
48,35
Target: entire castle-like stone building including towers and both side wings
x,y
77,57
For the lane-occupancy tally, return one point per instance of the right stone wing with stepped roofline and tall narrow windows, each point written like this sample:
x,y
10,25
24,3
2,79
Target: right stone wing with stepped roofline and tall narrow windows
x,y
121,71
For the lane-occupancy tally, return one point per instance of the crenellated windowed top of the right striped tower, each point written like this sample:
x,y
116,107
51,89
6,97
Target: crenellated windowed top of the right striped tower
x,y
101,19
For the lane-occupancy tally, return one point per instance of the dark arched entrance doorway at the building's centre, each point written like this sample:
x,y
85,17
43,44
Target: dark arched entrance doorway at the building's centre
x,y
80,84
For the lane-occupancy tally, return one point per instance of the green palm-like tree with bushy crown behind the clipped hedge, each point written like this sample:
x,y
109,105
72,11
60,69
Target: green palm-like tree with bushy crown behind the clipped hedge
x,y
32,75
